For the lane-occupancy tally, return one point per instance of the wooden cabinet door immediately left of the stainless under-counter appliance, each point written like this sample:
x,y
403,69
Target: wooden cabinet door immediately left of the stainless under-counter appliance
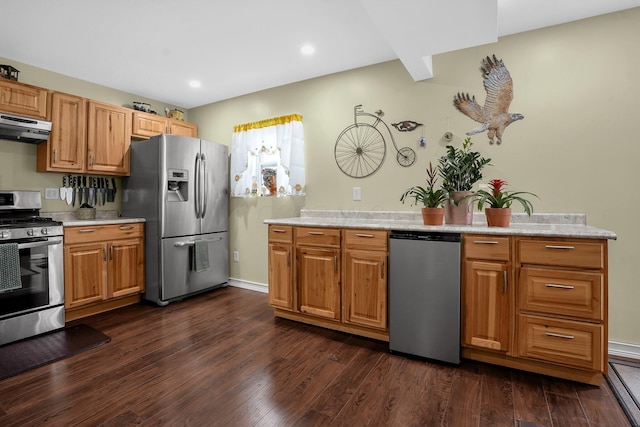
x,y
365,288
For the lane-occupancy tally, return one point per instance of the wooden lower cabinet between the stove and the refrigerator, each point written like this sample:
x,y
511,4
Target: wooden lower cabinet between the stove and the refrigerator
x,y
103,268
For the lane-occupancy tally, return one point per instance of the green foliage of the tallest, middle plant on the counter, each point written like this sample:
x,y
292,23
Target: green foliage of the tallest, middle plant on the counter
x,y
461,168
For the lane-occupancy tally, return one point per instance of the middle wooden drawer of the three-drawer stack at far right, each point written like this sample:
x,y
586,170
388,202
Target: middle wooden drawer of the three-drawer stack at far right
x,y
566,293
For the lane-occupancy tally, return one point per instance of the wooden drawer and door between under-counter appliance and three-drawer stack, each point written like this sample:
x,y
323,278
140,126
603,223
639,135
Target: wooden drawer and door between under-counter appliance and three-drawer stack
x,y
487,292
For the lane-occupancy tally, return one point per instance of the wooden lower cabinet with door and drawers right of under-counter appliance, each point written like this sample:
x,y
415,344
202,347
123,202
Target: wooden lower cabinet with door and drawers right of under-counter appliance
x,y
551,318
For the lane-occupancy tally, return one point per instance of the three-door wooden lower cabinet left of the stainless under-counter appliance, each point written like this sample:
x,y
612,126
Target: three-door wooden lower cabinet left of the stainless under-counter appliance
x,y
326,277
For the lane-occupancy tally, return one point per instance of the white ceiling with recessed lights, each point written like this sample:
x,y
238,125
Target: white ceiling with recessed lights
x,y
153,48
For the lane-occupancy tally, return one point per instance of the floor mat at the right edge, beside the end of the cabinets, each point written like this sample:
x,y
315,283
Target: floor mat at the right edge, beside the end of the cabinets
x,y
624,379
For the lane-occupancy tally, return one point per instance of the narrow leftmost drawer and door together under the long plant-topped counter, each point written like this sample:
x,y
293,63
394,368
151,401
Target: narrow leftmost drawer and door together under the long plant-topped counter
x,y
281,292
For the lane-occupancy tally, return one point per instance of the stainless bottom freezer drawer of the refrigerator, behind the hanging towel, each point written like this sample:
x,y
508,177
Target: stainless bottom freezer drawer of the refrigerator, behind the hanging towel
x,y
178,279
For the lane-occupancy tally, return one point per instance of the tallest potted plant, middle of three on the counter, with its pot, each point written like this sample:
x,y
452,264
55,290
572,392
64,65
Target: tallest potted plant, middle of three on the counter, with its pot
x,y
460,169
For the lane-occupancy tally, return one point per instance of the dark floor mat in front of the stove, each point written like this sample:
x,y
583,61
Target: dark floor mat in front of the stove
x,y
30,353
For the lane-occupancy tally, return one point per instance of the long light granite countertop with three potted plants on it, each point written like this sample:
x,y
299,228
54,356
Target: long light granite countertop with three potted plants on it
x,y
552,224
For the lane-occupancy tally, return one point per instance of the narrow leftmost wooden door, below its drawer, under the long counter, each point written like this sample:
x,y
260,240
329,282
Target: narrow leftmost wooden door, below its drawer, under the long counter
x,y
280,276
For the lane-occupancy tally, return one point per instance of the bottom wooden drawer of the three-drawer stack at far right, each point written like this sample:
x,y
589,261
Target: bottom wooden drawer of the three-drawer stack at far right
x,y
561,341
